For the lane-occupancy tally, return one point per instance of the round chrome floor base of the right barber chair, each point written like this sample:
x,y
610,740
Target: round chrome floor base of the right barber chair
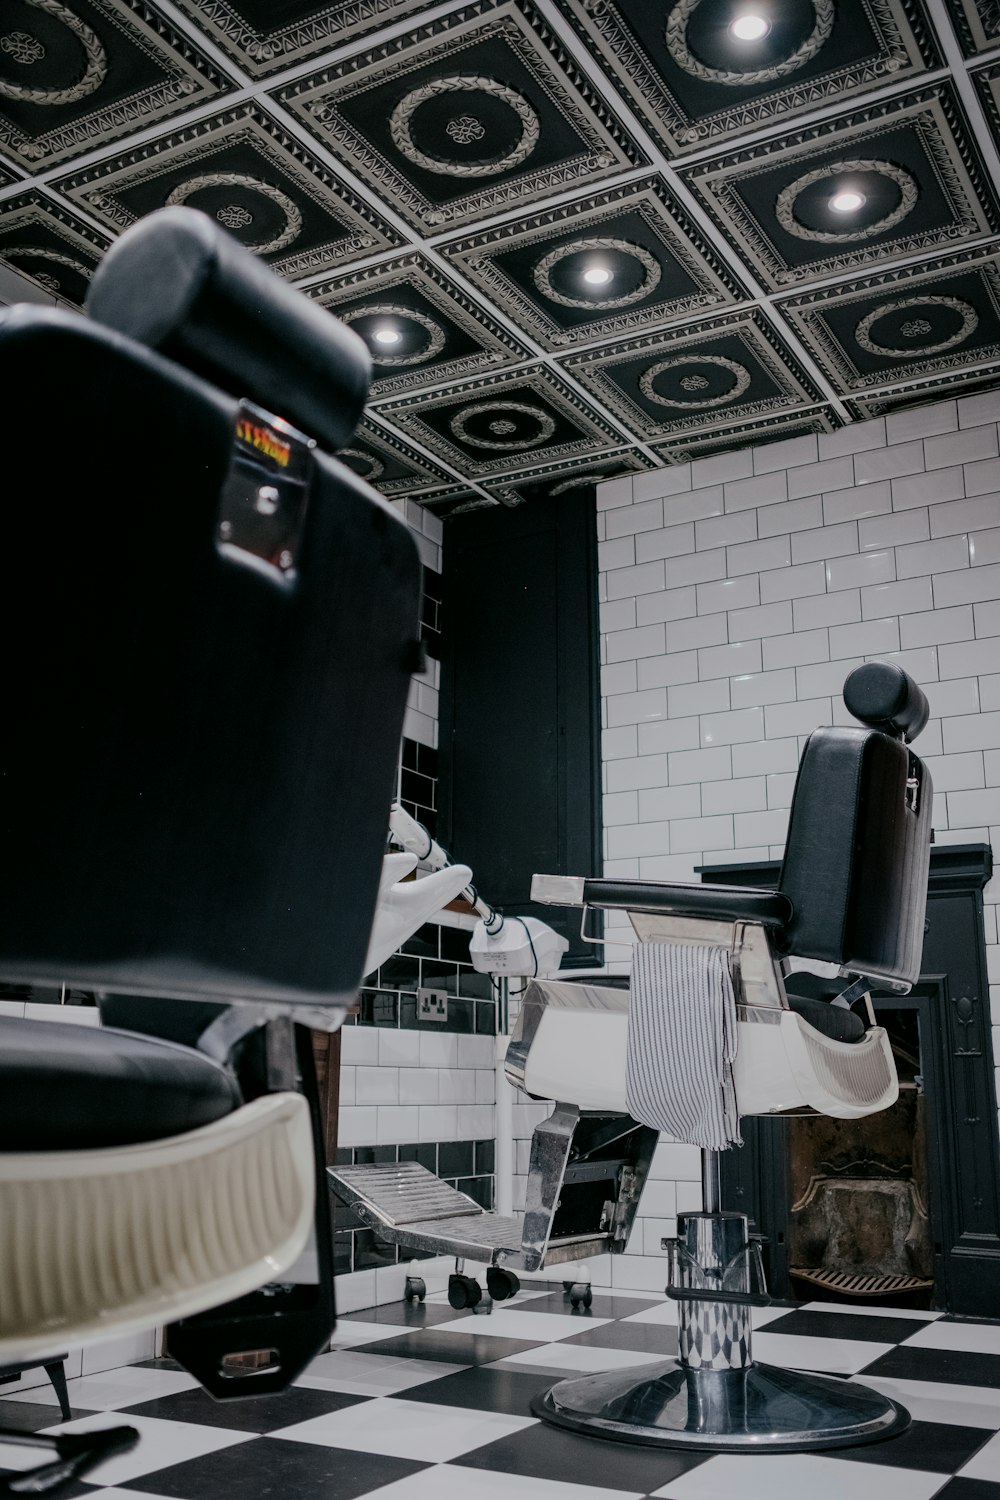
x,y
758,1409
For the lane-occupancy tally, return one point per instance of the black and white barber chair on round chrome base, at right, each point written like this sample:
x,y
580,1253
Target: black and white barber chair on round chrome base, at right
x,y
852,895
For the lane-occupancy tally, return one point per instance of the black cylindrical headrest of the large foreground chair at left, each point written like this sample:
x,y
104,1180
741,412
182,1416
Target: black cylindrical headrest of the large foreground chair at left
x,y
178,284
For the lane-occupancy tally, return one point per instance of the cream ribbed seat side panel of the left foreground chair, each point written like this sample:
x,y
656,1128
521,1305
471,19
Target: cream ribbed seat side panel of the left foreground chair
x,y
98,1244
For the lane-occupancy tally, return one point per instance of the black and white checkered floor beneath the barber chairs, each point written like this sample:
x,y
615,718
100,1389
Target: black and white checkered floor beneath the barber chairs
x,y
433,1405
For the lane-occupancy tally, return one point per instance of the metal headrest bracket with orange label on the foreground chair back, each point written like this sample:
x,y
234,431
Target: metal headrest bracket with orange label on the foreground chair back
x,y
263,503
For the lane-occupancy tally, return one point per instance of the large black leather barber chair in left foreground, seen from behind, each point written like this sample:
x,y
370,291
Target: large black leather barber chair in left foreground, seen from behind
x,y
211,632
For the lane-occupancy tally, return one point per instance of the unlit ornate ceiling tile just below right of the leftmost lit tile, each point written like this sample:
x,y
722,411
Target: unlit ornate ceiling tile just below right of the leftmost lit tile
x,y
503,424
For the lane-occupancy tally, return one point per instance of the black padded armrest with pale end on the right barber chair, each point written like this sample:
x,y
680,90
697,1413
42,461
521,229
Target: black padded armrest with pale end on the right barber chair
x,y
722,904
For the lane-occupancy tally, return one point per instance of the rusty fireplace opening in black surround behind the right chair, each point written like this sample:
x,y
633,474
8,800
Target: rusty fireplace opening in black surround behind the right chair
x,y
860,1226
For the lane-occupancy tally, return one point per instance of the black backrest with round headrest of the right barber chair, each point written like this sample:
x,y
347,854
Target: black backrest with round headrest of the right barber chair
x,y
860,835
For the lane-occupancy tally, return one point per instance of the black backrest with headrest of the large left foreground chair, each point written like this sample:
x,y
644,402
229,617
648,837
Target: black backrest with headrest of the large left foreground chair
x,y
211,629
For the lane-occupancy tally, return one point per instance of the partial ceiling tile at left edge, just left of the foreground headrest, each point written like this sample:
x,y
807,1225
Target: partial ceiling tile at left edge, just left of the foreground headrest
x,y
43,241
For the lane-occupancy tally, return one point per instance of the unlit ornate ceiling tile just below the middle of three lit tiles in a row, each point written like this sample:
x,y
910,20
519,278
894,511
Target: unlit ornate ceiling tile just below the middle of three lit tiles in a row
x,y
671,385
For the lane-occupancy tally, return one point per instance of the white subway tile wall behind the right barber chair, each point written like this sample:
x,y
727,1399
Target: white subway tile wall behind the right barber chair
x,y
804,559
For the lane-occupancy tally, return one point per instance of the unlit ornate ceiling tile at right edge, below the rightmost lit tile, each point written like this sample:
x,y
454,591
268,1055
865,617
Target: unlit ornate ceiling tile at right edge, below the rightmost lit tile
x,y
906,326
